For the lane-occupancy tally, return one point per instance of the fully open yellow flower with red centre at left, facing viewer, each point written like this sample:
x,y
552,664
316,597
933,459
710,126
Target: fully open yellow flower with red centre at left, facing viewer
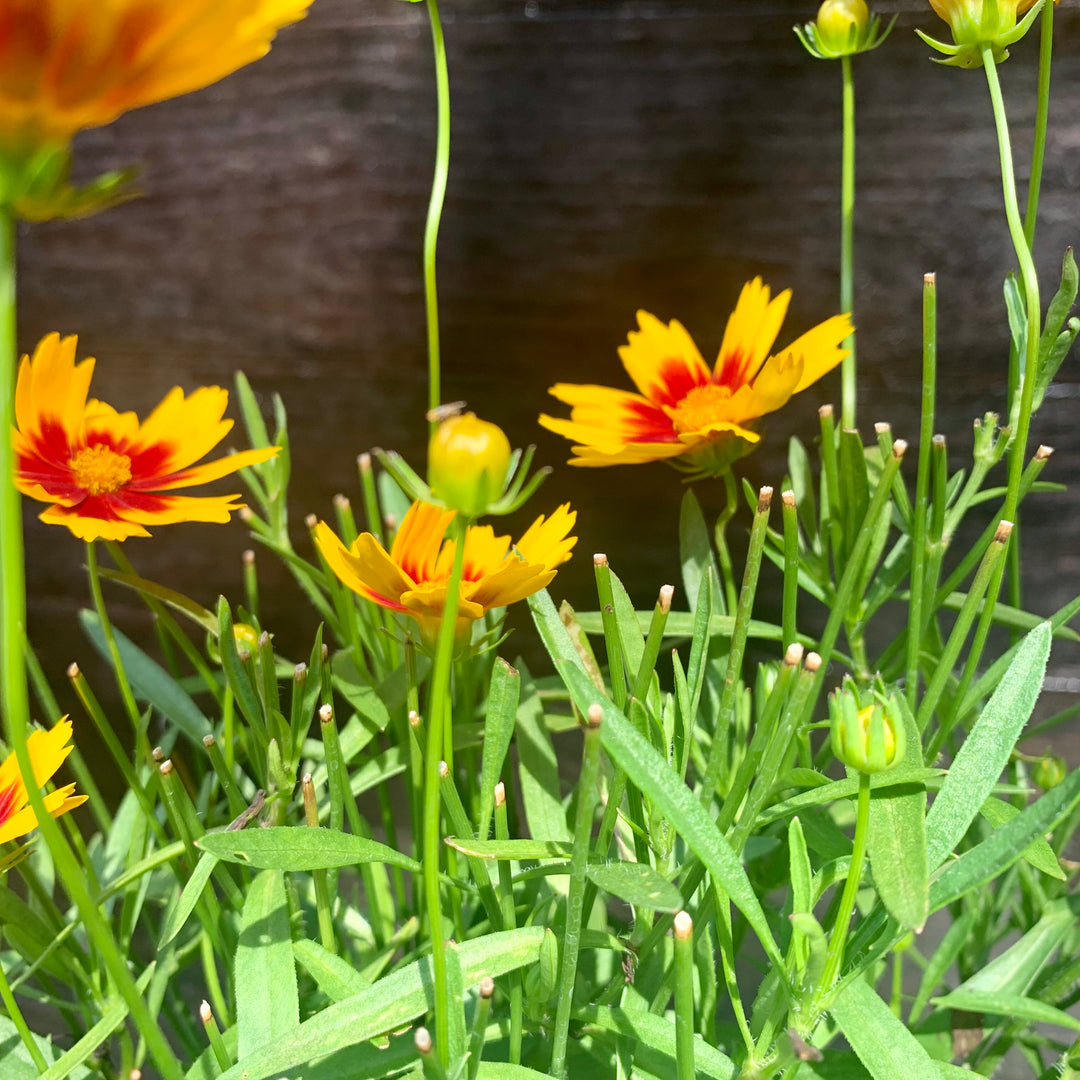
x,y
105,476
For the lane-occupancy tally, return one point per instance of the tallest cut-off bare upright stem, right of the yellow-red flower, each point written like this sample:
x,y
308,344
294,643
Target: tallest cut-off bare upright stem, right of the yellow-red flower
x,y
922,485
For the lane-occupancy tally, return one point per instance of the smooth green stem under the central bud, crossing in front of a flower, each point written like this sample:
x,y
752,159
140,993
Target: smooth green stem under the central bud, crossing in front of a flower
x,y
440,714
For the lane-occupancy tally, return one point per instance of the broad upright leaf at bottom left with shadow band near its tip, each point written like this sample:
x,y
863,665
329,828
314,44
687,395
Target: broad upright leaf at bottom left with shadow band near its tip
x,y
268,1007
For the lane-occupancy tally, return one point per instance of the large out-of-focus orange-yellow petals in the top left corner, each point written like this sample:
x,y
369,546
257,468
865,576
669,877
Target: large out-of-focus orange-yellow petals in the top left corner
x,y
66,65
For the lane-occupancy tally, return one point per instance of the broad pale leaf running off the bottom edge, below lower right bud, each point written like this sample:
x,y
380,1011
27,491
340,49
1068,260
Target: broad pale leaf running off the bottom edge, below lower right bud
x,y
880,1039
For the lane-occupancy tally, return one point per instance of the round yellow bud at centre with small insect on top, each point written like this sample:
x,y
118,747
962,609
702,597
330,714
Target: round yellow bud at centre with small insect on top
x,y
467,464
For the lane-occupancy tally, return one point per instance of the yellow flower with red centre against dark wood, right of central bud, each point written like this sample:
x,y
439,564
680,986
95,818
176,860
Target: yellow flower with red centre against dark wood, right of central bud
x,y
699,420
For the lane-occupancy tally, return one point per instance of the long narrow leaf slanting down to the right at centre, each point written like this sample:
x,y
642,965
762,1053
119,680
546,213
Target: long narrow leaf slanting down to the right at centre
x,y
657,780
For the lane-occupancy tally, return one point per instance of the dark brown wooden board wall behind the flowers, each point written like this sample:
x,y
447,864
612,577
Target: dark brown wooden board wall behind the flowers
x,y
605,157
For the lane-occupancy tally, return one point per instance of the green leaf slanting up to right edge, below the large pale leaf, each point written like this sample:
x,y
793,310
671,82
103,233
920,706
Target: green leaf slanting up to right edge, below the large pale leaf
x,y
998,853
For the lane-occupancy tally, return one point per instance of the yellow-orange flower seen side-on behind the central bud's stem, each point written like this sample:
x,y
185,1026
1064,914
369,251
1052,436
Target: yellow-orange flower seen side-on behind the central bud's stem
x,y
412,579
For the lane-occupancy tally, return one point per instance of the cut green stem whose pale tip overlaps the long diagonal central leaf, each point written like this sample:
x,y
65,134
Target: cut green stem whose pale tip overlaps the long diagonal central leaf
x,y
575,903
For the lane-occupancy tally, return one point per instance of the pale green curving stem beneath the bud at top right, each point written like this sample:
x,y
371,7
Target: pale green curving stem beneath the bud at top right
x,y
1030,280
